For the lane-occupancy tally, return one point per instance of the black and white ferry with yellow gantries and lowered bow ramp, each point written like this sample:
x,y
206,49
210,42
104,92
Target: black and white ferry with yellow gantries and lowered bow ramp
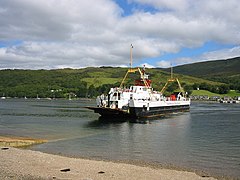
x,y
140,100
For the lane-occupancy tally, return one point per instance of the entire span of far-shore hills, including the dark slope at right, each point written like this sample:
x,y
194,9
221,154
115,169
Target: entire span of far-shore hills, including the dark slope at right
x,y
215,76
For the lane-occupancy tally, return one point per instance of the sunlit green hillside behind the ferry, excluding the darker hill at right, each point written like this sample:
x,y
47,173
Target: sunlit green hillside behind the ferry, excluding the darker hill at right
x,y
87,82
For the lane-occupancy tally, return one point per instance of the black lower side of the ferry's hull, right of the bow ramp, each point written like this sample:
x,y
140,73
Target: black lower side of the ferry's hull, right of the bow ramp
x,y
156,111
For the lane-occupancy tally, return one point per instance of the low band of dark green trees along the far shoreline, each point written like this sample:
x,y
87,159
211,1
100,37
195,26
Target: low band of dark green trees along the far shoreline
x,y
82,90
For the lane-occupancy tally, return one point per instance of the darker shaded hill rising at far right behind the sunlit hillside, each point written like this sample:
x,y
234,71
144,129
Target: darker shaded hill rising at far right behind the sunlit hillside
x,y
225,71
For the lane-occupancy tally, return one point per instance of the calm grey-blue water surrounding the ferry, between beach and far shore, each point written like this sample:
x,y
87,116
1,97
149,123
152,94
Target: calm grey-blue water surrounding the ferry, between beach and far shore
x,y
206,139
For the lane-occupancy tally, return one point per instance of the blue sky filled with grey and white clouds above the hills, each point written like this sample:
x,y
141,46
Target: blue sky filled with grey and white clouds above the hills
x,y
50,34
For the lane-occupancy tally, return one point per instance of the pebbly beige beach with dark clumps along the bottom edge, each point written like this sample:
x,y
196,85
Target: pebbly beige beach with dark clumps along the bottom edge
x,y
27,164
